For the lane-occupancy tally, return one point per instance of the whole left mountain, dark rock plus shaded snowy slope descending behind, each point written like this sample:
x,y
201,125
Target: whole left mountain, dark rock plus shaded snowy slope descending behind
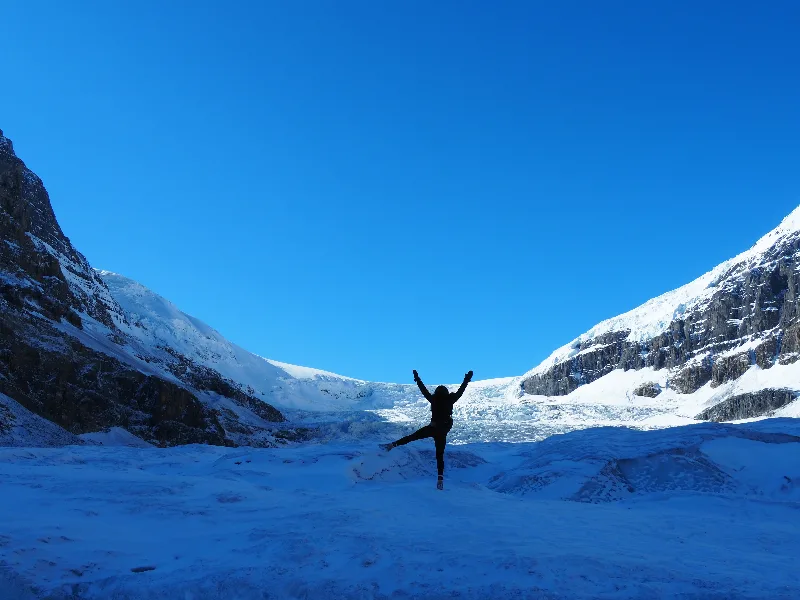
x,y
90,350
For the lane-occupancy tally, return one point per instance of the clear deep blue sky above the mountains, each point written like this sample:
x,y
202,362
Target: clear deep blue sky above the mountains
x,y
371,187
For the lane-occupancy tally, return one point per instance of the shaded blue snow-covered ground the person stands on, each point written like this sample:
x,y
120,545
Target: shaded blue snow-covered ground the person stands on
x,y
706,511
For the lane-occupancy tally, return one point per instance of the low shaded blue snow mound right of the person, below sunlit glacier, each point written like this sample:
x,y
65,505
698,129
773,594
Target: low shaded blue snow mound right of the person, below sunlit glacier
x,y
615,464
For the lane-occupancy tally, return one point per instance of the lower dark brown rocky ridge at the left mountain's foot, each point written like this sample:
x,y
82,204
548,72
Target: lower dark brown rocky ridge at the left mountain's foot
x,y
83,390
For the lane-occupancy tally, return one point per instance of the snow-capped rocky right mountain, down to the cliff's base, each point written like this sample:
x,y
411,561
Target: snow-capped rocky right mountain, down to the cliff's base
x,y
742,305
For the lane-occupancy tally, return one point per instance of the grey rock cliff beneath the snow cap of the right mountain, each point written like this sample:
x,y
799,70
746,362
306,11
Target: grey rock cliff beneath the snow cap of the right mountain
x,y
755,300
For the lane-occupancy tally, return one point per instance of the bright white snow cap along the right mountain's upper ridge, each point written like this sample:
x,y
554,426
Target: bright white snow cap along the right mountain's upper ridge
x,y
654,316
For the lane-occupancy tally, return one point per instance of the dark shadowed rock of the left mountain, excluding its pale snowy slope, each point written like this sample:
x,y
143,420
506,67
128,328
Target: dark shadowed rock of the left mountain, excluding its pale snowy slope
x,y
46,285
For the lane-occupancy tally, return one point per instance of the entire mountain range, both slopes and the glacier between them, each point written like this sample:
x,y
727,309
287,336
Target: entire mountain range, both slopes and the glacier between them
x,y
92,350
